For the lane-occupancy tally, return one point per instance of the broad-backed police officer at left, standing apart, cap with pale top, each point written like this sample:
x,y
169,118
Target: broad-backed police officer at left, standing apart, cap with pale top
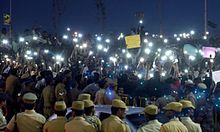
x,y
28,121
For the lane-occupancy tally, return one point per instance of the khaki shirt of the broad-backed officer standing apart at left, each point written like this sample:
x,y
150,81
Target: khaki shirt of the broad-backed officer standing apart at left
x,y
28,121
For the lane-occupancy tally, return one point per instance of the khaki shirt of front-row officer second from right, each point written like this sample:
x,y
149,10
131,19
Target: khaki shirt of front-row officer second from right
x,y
174,125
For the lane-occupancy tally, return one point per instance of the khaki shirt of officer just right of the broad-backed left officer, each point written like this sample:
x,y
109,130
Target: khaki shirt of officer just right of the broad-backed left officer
x,y
56,125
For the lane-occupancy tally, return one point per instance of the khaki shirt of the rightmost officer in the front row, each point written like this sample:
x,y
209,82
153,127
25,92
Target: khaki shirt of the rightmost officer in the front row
x,y
190,125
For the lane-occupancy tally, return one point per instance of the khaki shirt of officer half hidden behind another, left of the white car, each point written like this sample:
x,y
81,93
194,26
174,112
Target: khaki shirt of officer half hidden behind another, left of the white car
x,y
94,121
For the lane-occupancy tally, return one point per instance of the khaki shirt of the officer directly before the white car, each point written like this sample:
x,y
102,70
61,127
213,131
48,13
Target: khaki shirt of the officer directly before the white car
x,y
114,124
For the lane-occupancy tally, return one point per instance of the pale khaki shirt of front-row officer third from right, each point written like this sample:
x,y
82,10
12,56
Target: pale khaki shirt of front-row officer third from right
x,y
151,126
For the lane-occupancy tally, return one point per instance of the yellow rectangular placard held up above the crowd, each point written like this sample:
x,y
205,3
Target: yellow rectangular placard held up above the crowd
x,y
133,41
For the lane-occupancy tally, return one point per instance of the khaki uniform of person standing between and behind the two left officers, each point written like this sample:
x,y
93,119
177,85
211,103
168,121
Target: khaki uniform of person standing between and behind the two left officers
x,y
48,97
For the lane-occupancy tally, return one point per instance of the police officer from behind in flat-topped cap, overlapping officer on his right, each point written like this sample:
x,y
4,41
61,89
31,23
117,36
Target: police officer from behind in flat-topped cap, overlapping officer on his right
x,y
78,123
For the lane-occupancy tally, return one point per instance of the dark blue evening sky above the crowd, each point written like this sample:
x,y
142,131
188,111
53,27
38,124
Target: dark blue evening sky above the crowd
x,y
81,15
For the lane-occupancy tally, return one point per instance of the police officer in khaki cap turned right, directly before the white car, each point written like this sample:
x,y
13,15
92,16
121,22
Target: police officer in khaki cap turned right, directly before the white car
x,y
114,123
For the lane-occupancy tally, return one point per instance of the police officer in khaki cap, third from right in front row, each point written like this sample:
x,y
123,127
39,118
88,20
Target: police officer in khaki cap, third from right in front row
x,y
153,125
